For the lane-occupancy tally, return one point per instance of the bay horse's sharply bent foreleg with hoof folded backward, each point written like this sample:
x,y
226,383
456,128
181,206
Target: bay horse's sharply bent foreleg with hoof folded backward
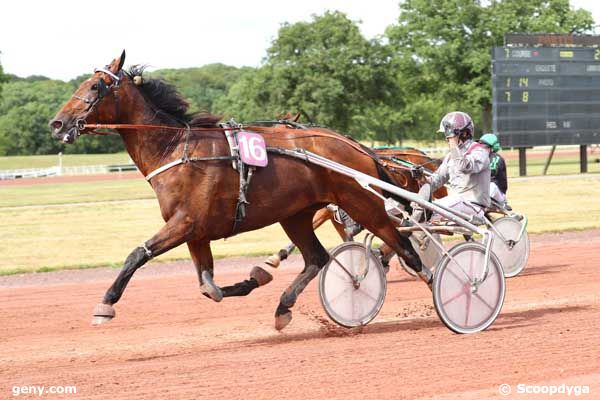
x,y
203,261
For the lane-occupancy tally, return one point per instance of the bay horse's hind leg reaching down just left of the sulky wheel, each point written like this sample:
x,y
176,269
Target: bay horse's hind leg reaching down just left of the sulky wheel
x,y
300,230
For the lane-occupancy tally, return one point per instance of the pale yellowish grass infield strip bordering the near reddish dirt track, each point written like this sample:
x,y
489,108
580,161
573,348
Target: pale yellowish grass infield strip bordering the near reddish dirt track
x,y
83,225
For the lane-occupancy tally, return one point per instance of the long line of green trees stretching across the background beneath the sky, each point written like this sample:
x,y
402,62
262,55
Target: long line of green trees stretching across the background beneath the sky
x,y
436,58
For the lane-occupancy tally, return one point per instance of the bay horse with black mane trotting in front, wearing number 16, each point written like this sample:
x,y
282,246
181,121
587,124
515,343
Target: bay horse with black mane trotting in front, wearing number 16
x,y
198,199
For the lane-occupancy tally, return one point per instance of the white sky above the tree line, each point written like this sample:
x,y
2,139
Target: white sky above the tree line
x,y
65,38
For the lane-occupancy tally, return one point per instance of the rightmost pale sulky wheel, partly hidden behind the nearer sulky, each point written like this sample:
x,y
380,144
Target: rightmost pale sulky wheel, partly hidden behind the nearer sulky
x,y
512,253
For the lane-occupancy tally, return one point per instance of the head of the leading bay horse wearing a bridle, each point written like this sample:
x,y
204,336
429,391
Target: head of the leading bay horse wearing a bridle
x,y
94,102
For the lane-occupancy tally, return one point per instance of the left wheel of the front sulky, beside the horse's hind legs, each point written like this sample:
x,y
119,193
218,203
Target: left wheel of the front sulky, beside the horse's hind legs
x,y
352,286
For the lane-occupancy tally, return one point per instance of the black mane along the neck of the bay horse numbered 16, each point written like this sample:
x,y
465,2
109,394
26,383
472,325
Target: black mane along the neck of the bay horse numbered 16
x,y
171,106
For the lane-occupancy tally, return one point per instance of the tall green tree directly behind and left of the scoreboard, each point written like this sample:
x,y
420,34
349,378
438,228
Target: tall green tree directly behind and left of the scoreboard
x,y
444,50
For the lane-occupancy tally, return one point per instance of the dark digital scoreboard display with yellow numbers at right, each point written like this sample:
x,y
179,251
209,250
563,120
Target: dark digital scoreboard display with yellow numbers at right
x,y
546,95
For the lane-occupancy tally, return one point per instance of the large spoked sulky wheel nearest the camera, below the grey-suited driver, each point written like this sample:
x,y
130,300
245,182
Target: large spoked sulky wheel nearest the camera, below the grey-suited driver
x,y
464,305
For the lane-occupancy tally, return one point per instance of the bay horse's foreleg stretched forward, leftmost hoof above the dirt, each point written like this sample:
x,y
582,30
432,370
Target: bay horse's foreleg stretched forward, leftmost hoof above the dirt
x,y
175,232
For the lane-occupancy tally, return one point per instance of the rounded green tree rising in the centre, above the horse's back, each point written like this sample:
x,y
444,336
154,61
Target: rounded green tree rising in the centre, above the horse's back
x,y
324,67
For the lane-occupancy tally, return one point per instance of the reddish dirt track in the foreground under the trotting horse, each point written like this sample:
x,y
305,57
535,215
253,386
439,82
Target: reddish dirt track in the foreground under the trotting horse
x,y
170,342
